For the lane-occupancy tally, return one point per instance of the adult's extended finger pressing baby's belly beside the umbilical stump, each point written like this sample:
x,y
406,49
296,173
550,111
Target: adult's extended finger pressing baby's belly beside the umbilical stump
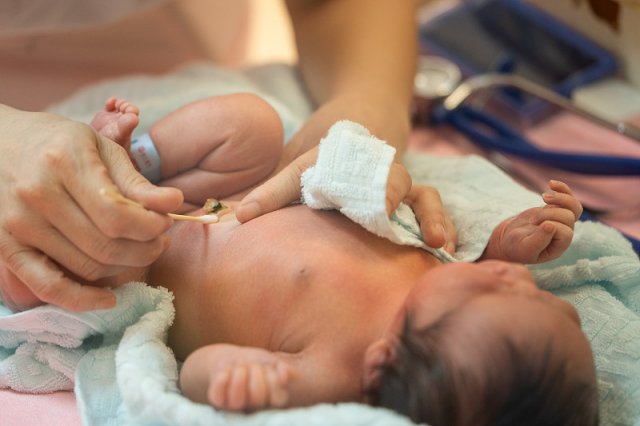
x,y
277,192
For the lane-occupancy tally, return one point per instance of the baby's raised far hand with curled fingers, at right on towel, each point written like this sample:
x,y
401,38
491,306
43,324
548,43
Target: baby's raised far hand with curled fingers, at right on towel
x,y
538,234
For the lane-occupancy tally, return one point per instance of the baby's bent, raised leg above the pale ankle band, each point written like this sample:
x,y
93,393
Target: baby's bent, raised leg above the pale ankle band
x,y
218,146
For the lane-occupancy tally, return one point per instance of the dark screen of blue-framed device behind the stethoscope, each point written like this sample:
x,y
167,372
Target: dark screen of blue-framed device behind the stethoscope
x,y
493,36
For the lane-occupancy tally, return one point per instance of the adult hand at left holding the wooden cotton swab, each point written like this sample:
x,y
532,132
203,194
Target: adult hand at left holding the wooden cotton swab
x,y
57,232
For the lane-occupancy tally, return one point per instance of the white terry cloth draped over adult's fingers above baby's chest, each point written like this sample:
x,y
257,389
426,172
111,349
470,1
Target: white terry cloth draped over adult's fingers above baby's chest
x,y
350,175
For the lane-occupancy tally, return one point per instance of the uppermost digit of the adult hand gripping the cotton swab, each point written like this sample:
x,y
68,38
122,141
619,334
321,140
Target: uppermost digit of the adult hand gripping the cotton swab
x,y
132,184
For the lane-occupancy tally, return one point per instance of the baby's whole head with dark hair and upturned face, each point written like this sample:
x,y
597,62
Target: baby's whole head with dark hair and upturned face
x,y
481,344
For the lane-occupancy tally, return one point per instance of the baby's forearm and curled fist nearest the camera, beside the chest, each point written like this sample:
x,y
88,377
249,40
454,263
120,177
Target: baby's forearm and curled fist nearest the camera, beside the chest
x,y
240,378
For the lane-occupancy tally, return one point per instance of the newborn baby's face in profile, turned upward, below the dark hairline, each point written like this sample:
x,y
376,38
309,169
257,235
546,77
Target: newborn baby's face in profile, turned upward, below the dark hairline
x,y
498,298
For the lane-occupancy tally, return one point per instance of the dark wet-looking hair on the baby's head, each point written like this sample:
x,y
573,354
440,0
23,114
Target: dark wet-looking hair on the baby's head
x,y
519,386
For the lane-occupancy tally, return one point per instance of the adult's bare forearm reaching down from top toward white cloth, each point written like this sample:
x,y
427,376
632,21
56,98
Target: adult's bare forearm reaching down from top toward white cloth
x,y
359,57
